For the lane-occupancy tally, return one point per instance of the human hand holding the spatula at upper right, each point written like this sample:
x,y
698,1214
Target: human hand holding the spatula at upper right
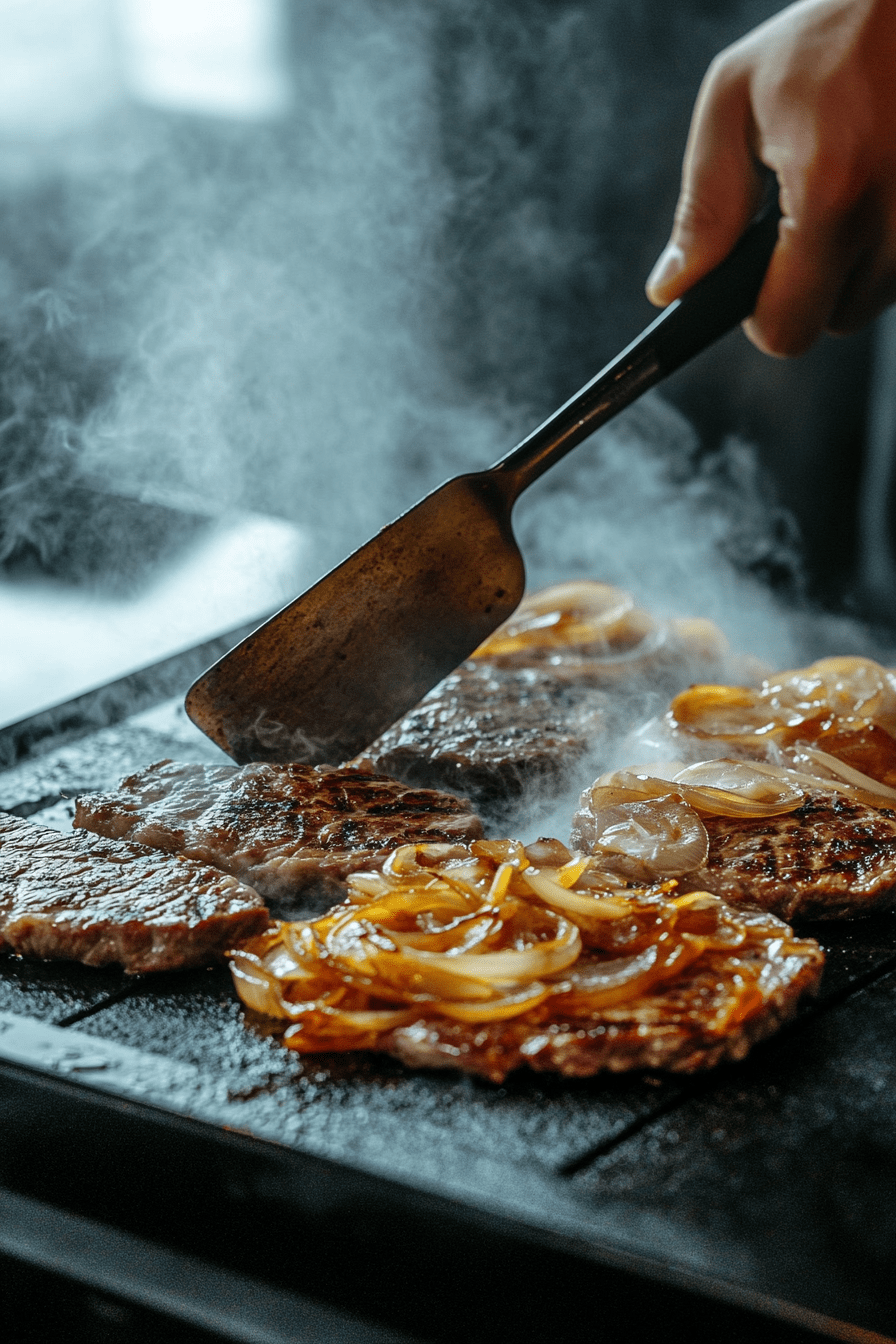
x,y
811,95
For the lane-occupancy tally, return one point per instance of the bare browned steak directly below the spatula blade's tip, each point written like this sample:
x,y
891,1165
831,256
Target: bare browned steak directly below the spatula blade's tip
x,y
283,829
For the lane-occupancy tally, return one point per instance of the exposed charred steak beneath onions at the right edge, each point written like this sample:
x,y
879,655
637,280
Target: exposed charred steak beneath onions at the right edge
x,y
828,859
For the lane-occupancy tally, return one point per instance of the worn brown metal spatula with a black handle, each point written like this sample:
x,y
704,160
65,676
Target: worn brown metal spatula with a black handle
x,y
328,674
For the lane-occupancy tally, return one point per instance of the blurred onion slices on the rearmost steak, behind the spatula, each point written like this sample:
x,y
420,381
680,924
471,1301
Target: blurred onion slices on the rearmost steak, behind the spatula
x,y
598,620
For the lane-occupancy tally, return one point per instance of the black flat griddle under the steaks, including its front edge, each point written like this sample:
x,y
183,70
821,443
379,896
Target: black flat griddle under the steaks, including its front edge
x,y
169,1173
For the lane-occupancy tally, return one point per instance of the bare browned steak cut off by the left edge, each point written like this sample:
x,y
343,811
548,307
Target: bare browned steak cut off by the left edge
x,y
80,898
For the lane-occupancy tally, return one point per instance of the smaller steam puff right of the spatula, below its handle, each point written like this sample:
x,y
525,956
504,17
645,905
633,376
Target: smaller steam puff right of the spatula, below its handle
x,y
687,536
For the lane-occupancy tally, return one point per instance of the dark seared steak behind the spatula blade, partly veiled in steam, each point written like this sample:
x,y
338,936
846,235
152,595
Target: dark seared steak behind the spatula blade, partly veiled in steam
x,y
499,734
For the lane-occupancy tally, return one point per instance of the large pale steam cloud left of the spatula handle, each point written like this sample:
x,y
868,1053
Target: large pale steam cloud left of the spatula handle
x,y
242,317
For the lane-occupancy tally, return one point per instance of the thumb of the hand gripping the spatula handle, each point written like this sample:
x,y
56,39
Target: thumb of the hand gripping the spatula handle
x,y
721,187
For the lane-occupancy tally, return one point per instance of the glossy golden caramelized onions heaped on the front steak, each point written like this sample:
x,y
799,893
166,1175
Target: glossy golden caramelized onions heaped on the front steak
x,y
494,932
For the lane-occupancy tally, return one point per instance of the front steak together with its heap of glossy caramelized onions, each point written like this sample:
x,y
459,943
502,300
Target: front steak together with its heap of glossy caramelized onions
x,y
492,956
